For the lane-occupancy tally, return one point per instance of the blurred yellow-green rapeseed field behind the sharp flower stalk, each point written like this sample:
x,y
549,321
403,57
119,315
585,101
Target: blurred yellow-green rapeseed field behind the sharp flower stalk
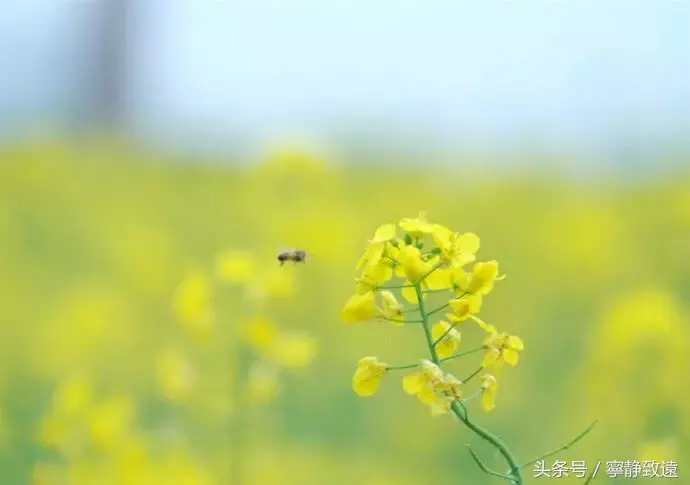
x,y
102,381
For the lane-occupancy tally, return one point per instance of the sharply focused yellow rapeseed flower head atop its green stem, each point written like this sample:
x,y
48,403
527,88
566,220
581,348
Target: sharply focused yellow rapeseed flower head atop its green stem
x,y
432,266
